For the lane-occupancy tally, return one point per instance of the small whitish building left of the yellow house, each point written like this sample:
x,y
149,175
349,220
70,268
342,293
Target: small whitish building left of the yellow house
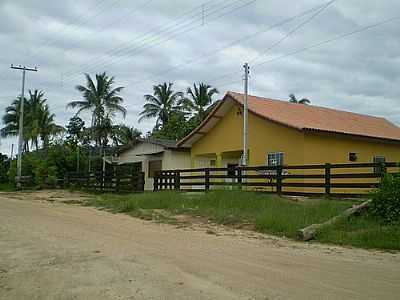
x,y
155,155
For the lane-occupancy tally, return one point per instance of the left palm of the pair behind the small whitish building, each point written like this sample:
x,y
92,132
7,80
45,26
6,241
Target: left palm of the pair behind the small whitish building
x,y
161,104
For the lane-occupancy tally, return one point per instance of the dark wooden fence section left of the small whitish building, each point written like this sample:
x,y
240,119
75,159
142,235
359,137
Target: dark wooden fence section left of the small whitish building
x,y
106,182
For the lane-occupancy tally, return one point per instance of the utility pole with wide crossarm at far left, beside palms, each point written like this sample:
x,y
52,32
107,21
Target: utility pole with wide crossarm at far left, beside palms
x,y
21,121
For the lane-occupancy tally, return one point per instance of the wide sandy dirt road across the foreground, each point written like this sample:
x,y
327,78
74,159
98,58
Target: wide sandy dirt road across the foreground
x,y
59,251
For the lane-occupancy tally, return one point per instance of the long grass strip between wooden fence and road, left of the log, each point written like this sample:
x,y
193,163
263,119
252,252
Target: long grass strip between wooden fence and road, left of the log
x,y
269,213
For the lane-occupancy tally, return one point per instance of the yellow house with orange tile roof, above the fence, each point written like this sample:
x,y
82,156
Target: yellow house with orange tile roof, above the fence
x,y
283,133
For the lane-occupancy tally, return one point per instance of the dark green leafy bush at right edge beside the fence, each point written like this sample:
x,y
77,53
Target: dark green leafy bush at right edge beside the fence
x,y
386,200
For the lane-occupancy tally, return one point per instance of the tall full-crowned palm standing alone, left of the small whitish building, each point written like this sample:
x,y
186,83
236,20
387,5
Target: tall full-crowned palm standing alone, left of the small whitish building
x,y
103,101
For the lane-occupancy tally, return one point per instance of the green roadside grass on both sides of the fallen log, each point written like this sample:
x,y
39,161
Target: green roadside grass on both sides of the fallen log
x,y
269,214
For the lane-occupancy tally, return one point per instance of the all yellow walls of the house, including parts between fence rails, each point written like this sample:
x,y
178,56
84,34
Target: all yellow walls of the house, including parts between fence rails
x,y
224,141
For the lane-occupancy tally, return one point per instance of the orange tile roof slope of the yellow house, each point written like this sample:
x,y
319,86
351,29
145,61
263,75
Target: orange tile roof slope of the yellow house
x,y
310,117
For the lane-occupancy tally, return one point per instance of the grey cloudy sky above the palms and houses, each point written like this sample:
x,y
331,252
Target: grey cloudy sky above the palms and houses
x,y
144,42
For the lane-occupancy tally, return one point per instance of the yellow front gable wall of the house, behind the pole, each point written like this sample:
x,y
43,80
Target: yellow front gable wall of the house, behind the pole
x,y
264,137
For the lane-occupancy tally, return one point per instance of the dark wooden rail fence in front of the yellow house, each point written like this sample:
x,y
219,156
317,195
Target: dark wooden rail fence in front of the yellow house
x,y
328,179
